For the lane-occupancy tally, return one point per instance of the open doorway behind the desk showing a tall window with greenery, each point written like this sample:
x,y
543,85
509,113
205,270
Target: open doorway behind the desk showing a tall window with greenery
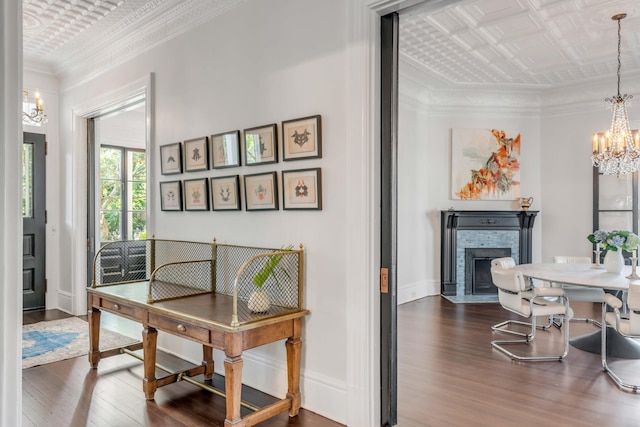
x,y
117,199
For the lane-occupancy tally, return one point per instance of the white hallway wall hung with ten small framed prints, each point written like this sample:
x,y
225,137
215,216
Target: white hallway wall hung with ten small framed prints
x,y
252,67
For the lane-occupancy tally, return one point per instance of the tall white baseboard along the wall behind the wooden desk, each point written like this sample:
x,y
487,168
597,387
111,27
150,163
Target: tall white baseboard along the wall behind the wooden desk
x,y
321,394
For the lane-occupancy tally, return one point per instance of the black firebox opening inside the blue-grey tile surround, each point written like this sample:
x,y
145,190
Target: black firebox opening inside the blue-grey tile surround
x,y
477,274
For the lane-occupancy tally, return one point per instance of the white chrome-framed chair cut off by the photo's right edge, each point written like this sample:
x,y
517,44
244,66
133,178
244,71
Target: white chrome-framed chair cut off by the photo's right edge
x,y
629,328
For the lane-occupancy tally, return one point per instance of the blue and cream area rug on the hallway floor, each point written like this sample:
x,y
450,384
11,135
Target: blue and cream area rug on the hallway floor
x,y
55,340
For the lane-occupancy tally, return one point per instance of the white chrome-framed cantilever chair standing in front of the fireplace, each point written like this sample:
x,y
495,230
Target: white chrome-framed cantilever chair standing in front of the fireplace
x,y
516,296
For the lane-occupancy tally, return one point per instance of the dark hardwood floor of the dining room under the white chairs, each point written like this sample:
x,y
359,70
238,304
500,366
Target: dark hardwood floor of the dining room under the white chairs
x,y
449,375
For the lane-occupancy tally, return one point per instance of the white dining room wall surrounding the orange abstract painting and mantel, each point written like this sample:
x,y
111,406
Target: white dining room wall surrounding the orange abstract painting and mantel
x,y
424,181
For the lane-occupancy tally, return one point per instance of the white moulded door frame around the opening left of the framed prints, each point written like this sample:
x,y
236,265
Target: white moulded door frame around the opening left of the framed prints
x,y
76,302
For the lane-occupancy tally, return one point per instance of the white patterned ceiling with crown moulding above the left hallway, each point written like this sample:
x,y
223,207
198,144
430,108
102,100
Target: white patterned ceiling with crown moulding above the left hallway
x,y
63,36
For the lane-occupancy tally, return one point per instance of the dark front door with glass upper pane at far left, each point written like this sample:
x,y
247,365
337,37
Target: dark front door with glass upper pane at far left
x,y
33,221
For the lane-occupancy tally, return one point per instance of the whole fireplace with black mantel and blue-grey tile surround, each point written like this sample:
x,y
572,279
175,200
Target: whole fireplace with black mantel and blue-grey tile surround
x,y
489,235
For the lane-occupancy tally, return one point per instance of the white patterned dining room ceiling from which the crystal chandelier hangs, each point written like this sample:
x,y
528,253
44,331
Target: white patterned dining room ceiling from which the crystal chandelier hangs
x,y
536,44
